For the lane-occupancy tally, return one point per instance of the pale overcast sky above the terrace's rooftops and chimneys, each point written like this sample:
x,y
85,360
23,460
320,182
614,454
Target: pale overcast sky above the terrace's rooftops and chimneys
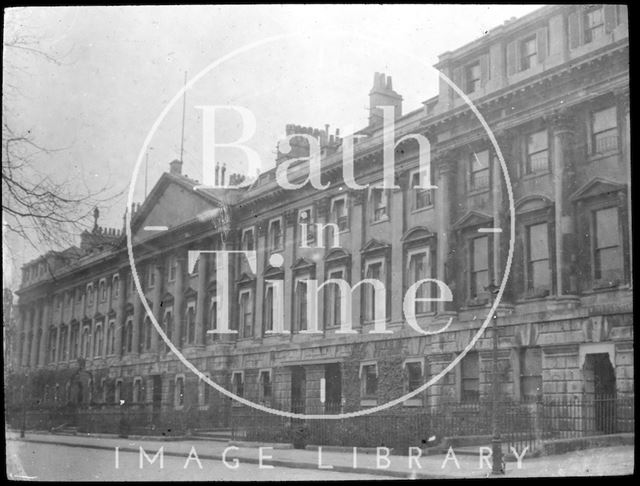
x,y
120,66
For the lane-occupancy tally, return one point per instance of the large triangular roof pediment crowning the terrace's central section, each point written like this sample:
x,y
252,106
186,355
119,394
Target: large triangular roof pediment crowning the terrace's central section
x,y
172,202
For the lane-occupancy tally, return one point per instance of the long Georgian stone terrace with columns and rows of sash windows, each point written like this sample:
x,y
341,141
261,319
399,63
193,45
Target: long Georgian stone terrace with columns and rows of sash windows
x,y
554,88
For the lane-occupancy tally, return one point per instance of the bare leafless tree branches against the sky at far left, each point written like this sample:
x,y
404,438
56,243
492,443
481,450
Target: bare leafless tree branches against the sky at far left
x,y
37,208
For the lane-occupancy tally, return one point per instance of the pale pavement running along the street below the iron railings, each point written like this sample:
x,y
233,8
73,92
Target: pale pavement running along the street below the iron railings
x,y
604,461
